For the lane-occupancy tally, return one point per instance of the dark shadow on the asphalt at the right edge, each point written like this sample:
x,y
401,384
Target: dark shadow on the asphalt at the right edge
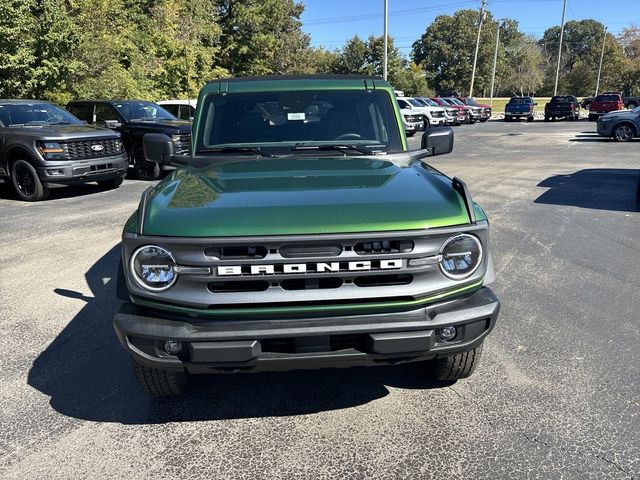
x,y
596,188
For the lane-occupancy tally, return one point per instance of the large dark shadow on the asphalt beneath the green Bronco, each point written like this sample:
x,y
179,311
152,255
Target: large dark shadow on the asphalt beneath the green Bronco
x,y
87,375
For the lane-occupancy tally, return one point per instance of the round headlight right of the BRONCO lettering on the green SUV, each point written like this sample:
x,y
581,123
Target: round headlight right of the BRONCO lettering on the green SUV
x,y
461,256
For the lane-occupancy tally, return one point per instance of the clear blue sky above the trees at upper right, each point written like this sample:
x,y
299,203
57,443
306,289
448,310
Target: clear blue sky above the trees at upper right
x,y
331,22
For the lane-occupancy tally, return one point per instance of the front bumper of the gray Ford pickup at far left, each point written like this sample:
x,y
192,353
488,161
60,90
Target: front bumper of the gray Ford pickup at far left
x,y
69,172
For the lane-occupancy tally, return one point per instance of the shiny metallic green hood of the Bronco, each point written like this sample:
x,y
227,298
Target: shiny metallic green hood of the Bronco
x,y
302,196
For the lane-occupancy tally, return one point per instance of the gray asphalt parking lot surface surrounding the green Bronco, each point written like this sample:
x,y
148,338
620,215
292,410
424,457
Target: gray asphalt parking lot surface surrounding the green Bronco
x,y
556,396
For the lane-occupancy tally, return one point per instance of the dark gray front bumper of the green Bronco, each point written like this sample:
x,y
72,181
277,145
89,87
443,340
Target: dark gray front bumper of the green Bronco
x,y
228,346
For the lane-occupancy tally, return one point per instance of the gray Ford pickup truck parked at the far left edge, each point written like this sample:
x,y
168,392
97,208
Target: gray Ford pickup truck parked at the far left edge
x,y
42,145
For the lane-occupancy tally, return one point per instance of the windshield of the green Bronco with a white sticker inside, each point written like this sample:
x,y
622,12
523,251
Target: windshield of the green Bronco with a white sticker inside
x,y
286,120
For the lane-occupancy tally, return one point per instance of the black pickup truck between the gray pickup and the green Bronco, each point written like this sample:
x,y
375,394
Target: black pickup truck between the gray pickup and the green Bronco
x,y
133,119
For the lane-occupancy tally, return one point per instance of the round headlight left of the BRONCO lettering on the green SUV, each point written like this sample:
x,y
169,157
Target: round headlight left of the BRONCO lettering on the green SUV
x,y
153,268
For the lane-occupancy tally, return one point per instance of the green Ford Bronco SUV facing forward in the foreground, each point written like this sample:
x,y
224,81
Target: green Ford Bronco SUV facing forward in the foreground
x,y
302,233
